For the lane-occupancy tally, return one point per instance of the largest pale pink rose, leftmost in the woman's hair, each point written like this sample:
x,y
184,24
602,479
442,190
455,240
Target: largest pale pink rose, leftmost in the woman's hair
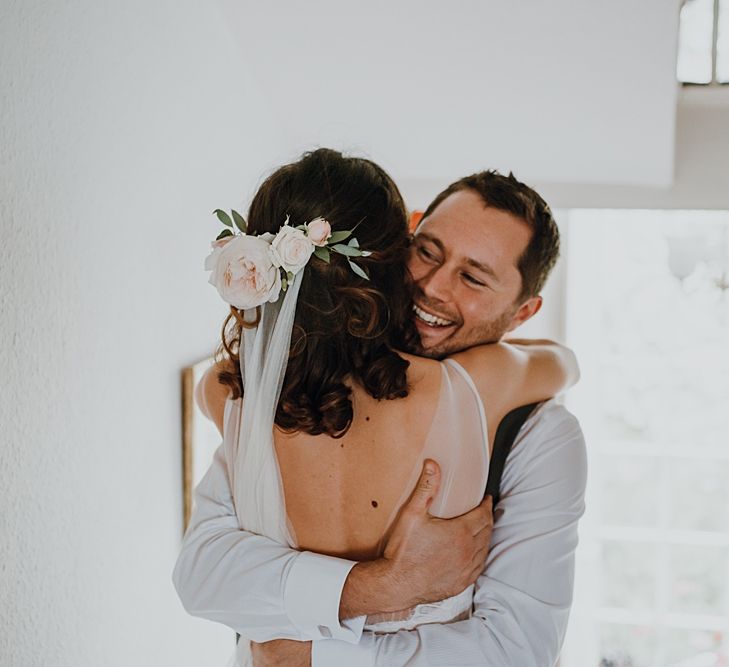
x,y
242,271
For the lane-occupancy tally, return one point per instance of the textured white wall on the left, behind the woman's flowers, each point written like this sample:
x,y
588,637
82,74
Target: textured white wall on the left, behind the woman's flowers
x,y
122,125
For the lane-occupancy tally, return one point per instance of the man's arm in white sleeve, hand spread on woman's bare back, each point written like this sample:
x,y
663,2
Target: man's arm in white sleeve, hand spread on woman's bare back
x,y
264,590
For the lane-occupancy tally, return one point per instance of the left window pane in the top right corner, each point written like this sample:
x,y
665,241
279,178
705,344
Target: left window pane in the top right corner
x,y
695,35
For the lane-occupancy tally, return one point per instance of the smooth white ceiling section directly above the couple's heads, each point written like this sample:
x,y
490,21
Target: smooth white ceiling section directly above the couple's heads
x,y
566,91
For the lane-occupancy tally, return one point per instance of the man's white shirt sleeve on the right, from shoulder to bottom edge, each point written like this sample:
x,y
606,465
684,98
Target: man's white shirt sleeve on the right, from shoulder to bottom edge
x,y
522,600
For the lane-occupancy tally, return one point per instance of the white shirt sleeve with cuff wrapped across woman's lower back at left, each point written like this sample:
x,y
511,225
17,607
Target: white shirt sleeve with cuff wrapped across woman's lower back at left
x,y
256,586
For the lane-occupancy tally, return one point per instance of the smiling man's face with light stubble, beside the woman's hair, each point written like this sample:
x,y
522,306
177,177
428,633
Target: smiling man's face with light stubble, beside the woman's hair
x,y
463,263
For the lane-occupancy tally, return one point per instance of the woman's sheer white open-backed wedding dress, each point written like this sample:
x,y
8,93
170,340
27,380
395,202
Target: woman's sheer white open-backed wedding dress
x,y
457,439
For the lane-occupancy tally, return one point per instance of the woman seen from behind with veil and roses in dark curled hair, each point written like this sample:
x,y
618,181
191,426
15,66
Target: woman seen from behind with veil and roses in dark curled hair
x,y
337,418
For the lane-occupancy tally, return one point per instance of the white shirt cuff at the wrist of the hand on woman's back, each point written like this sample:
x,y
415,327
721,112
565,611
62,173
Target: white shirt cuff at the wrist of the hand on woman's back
x,y
312,595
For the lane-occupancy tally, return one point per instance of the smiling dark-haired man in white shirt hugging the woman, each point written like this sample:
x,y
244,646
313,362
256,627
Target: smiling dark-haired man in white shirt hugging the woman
x,y
479,260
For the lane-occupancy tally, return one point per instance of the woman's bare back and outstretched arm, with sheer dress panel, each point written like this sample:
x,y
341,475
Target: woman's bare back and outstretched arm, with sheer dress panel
x,y
342,494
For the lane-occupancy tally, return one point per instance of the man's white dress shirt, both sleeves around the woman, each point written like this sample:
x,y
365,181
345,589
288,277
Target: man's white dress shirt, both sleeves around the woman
x,y
521,603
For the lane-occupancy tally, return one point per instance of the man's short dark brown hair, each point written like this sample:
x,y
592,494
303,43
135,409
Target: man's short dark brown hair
x,y
506,193
